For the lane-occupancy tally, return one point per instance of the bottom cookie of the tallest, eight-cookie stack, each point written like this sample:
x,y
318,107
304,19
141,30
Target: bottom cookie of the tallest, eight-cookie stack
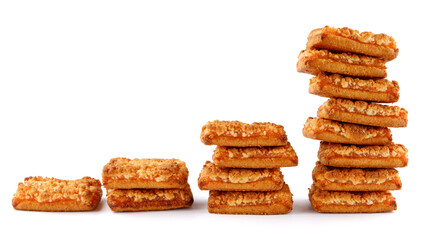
x,y
351,202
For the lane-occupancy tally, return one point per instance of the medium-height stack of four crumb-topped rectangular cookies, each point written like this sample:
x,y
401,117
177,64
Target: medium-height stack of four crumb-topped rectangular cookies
x,y
245,175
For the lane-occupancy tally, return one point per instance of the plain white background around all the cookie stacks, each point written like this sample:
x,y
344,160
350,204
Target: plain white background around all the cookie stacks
x,y
86,81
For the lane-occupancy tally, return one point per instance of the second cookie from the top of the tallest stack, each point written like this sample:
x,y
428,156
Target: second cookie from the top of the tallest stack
x,y
317,61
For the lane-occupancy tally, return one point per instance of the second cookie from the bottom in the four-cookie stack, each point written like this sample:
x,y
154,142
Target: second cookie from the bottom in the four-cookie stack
x,y
239,179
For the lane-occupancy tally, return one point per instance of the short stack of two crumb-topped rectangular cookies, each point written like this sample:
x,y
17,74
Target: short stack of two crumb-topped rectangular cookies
x,y
146,184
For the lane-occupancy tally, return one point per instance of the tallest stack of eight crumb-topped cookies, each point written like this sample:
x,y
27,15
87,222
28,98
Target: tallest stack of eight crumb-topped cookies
x,y
357,159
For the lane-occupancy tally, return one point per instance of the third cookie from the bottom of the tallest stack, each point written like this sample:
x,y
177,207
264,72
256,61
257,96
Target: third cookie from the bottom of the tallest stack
x,y
340,155
